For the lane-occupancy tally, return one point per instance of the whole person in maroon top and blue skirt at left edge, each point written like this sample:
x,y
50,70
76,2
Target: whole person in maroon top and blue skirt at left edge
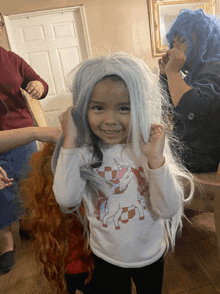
x,y
15,73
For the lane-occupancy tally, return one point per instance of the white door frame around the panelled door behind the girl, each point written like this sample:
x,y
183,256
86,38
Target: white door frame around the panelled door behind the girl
x,y
79,12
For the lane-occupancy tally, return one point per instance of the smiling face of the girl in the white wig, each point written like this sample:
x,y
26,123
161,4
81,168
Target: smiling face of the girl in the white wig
x,y
109,111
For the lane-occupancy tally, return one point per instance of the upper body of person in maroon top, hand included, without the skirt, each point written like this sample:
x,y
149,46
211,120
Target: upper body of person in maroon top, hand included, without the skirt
x,y
15,73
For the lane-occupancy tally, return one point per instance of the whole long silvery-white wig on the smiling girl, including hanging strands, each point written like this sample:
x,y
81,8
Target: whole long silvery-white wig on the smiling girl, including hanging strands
x,y
146,101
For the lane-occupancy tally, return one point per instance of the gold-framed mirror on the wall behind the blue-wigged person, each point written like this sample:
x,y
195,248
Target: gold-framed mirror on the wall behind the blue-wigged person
x,y
162,15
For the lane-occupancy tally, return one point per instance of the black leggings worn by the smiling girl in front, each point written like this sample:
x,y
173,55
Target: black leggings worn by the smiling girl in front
x,y
108,278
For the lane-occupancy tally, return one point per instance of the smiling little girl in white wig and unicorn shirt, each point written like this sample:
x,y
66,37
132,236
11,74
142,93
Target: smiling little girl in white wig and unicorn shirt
x,y
114,156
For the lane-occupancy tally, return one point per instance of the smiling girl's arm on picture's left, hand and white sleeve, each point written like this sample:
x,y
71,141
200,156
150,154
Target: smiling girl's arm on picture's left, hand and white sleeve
x,y
68,186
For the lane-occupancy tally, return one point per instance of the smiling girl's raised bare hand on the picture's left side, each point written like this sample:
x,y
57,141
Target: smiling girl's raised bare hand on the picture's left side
x,y
68,126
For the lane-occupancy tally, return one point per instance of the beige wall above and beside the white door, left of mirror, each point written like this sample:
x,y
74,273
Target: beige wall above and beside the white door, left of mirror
x,y
113,25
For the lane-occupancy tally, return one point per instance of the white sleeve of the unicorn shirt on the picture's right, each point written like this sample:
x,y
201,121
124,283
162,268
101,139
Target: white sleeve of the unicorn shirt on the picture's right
x,y
165,191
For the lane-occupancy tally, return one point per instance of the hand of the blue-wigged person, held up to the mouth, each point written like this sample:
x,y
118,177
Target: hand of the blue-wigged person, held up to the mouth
x,y
177,59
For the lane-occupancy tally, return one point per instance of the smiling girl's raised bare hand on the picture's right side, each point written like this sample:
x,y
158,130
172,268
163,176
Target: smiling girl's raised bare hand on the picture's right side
x,y
153,150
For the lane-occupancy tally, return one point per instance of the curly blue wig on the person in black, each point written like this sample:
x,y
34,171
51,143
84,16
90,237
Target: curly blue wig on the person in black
x,y
202,33
